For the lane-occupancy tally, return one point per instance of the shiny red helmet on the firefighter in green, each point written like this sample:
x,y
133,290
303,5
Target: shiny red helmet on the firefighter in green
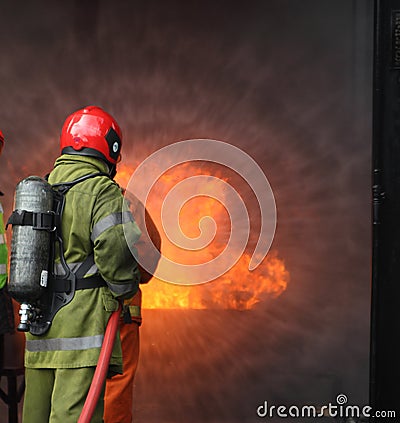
x,y
92,132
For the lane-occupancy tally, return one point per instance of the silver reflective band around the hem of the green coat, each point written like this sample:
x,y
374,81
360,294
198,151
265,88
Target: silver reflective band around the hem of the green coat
x,y
64,344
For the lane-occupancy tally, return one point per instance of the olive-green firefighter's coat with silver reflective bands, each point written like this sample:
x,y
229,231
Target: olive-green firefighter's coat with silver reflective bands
x,y
94,220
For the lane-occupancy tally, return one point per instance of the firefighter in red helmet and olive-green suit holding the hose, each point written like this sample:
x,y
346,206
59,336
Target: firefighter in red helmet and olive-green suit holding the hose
x,y
95,223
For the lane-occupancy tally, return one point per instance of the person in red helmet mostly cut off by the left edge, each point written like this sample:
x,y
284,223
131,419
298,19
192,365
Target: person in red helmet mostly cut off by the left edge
x,y
6,308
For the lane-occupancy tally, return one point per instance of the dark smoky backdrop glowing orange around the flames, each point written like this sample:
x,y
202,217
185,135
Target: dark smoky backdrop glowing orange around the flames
x,y
287,81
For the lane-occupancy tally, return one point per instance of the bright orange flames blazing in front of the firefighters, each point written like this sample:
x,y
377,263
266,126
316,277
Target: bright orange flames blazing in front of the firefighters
x,y
238,288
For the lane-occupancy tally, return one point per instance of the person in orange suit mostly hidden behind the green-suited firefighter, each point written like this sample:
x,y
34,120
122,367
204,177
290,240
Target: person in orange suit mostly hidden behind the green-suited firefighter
x,y
118,400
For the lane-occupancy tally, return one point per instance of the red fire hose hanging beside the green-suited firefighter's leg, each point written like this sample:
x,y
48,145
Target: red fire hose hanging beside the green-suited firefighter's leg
x,y
101,369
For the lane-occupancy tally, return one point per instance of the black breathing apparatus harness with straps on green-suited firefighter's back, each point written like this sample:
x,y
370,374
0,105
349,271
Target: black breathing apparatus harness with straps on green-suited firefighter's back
x,y
55,291
